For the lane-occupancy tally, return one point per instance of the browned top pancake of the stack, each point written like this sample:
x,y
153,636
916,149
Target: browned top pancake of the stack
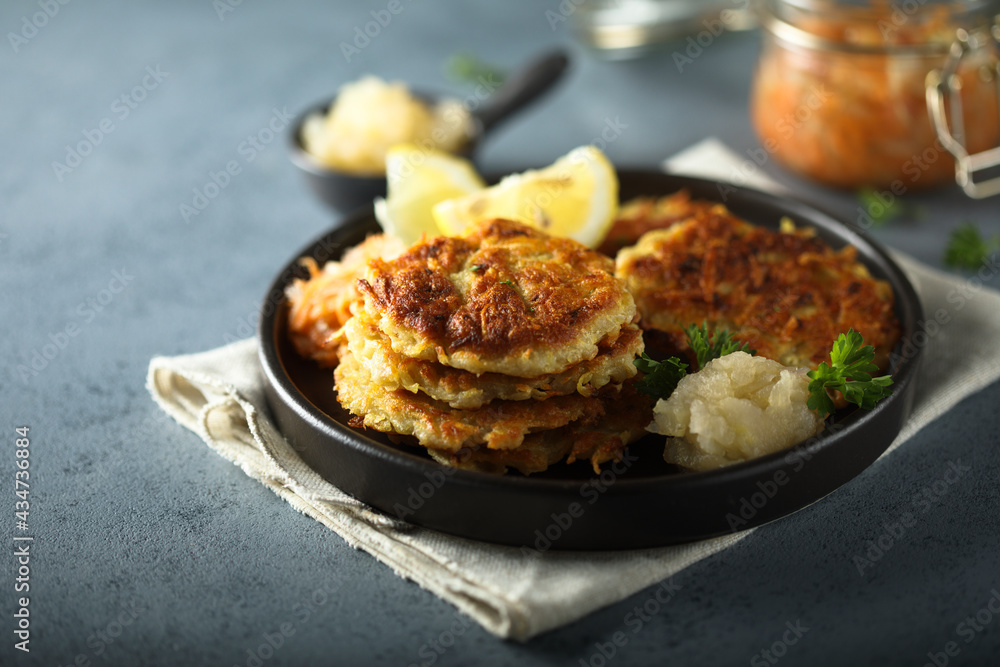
x,y
505,298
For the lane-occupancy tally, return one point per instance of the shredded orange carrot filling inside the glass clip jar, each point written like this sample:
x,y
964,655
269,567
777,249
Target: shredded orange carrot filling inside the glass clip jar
x,y
860,119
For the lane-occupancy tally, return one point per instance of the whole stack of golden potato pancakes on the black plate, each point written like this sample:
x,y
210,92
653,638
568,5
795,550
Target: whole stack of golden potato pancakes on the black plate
x,y
502,348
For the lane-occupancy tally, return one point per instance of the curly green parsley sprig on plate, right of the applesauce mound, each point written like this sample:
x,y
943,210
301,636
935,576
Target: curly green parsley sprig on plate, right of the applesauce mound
x,y
849,372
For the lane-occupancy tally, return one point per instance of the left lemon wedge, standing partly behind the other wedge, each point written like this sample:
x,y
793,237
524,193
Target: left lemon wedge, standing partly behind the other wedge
x,y
416,179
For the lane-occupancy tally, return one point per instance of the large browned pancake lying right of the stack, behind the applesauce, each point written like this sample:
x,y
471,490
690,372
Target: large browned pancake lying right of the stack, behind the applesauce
x,y
787,294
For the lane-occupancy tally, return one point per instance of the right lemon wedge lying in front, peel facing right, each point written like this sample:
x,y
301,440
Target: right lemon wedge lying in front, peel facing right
x,y
575,197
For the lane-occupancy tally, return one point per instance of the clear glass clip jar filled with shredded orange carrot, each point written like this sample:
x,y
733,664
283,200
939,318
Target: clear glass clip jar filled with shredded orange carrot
x,y
842,90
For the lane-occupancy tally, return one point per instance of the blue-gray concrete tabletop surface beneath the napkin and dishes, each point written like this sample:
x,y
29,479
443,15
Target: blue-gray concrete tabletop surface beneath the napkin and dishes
x,y
150,549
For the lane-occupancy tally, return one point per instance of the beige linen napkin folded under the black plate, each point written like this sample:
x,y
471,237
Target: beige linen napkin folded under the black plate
x,y
219,395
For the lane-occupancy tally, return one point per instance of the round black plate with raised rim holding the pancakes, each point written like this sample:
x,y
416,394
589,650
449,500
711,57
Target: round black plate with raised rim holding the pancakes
x,y
635,503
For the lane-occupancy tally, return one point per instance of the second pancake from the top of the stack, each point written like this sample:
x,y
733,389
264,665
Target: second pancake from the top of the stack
x,y
462,389
